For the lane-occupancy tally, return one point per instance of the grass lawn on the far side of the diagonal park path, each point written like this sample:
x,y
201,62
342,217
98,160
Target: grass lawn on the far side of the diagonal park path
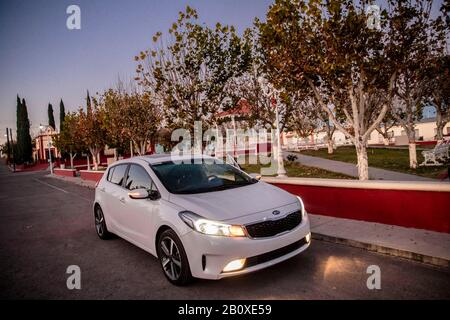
x,y
390,159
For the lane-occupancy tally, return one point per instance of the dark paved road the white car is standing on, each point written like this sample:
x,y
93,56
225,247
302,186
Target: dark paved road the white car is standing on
x,y
46,225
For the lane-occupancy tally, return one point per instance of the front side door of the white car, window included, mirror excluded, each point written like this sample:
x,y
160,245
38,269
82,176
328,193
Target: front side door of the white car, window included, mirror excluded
x,y
137,218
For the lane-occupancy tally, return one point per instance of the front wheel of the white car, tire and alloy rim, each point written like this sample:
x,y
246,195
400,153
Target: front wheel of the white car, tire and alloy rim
x,y
173,258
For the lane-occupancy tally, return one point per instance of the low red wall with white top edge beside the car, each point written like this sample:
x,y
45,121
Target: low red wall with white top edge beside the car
x,y
421,205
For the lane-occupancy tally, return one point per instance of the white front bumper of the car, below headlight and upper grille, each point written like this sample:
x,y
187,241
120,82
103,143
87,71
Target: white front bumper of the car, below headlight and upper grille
x,y
208,255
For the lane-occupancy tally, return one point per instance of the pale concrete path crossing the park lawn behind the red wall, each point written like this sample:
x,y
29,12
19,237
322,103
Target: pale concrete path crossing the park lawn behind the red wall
x,y
351,169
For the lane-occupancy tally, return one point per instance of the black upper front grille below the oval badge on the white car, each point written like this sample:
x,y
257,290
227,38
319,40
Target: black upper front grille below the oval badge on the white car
x,y
271,228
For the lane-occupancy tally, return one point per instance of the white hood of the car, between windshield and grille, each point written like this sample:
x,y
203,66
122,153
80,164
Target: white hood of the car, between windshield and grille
x,y
234,203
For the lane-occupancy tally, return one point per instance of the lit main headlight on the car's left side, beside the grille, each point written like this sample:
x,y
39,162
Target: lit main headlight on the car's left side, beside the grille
x,y
209,227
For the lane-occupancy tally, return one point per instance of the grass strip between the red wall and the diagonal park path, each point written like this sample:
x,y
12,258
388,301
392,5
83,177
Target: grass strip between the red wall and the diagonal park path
x,y
298,170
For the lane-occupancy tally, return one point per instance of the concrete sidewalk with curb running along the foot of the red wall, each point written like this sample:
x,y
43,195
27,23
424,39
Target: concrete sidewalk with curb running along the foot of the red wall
x,y
421,245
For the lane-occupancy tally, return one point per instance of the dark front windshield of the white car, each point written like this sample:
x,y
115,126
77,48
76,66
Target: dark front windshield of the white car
x,y
200,175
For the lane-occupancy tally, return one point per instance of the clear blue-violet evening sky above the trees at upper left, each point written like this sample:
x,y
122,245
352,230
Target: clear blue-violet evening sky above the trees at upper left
x,y
43,61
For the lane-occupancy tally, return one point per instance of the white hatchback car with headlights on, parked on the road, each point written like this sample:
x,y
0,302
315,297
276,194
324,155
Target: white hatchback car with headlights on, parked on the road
x,y
202,218
